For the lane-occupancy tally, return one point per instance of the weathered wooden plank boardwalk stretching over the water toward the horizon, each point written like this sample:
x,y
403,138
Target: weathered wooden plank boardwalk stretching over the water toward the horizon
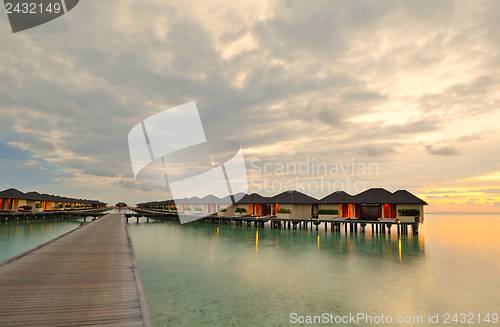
x,y
87,277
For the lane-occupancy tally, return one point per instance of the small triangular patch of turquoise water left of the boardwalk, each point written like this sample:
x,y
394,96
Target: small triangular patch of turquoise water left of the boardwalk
x,y
19,236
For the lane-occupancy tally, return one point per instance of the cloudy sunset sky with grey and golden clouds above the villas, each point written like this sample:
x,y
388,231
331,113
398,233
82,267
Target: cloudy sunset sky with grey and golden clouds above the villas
x,y
409,89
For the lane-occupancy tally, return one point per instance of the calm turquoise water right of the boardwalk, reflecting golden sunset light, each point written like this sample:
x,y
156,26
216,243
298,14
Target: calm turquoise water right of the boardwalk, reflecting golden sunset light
x,y
194,275
